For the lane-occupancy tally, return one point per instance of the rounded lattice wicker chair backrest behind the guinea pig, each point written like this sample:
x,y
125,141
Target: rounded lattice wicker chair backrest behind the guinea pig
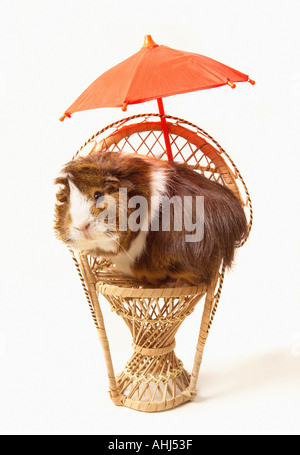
x,y
190,145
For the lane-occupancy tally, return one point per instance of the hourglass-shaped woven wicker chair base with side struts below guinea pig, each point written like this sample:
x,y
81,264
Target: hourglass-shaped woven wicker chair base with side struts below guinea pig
x,y
153,379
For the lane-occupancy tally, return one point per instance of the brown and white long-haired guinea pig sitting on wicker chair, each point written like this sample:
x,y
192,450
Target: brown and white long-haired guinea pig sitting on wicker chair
x,y
157,221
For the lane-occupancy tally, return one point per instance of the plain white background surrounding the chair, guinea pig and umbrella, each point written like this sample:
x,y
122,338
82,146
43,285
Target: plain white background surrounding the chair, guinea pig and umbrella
x,y
53,378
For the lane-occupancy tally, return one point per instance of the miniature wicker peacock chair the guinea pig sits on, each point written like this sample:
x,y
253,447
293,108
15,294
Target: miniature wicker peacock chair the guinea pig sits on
x,y
154,379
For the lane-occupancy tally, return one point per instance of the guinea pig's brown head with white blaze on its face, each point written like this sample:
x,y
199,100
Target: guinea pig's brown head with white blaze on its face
x,y
89,208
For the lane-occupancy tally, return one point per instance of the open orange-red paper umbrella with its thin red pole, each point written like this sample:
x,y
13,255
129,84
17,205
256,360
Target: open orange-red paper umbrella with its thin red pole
x,y
155,72
